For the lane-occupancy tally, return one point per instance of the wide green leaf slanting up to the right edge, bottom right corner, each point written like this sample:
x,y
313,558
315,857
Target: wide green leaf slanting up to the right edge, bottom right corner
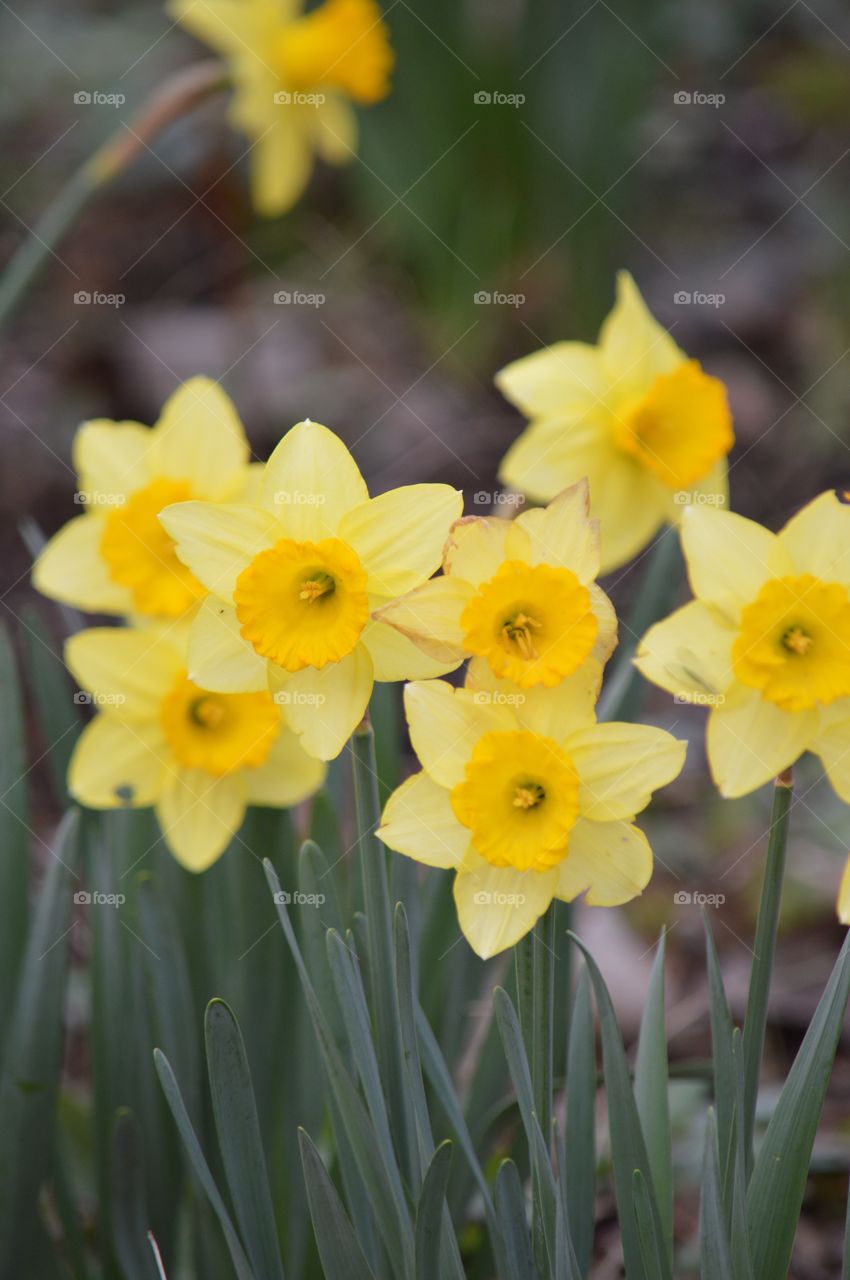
x,y
782,1169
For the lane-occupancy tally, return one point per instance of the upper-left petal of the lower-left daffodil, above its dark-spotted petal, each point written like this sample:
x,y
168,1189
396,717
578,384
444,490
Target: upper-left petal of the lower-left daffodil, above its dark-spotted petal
x,y
126,670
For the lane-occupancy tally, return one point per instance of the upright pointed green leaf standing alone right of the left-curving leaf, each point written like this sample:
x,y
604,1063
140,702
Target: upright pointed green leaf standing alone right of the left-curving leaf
x,y
652,1082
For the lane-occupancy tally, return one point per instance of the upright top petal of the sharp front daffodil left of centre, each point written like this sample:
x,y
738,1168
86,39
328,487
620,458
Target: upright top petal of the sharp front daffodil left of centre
x,y
312,481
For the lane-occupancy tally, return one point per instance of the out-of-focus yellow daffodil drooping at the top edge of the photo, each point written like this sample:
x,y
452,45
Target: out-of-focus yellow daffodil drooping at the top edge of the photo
x,y
296,76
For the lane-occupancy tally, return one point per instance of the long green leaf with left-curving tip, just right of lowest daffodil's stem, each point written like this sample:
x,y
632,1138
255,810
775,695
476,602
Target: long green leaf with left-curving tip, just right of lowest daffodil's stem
x,y
628,1146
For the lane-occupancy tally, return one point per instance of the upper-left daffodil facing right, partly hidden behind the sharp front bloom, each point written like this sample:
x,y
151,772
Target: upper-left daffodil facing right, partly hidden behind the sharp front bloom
x,y
117,557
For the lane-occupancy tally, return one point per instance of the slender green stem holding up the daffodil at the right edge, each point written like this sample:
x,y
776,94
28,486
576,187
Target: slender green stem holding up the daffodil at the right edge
x,y
766,930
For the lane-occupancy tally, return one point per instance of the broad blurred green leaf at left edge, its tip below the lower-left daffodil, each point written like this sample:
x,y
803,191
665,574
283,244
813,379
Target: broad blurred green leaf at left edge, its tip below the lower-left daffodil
x,y
33,1057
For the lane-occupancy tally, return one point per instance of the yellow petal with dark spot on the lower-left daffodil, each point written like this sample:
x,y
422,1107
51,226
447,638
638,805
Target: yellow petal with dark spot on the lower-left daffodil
x,y
117,764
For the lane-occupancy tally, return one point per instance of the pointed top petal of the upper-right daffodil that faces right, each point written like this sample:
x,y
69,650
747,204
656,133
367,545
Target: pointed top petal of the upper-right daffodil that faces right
x,y
634,346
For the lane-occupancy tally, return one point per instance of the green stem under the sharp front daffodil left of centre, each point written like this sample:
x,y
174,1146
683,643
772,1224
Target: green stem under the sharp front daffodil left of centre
x,y
380,934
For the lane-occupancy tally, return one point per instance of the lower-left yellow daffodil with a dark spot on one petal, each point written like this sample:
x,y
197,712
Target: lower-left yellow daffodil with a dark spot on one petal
x,y
159,739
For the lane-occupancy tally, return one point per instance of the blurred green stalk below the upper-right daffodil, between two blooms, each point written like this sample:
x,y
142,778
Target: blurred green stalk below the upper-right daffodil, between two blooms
x,y
625,688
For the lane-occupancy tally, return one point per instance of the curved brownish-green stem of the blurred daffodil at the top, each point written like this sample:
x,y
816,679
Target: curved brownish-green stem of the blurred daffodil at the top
x,y
177,97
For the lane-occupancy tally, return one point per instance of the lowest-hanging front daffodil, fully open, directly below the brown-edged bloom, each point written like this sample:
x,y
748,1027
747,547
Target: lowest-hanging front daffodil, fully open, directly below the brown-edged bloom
x,y
527,798
